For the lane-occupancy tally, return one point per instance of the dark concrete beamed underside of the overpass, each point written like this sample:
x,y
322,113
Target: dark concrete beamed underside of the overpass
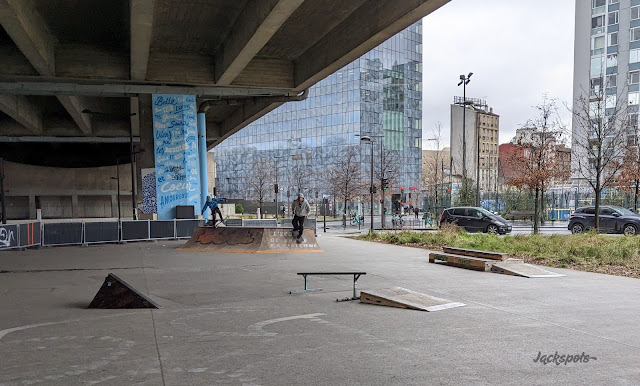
x,y
74,72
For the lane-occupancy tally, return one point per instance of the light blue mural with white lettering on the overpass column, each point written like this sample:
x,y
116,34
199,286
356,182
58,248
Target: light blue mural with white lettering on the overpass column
x,y
176,153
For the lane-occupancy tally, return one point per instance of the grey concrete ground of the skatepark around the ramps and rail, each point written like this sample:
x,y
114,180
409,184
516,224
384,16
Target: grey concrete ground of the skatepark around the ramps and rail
x,y
229,319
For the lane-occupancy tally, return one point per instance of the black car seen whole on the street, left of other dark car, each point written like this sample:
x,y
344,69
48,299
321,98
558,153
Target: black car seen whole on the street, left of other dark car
x,y
474,219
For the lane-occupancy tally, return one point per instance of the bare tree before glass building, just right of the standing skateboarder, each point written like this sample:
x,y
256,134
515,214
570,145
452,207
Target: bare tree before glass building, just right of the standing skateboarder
x,y
345,177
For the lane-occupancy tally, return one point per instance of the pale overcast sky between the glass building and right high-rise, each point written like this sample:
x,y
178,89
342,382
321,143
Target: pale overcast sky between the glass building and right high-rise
x,y
517,50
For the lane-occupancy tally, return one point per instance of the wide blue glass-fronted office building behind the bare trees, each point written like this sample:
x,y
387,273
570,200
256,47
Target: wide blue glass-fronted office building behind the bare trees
x,y
378,95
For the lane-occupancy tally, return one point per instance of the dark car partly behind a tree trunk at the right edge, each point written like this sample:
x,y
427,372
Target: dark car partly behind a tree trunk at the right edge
x,y
613,219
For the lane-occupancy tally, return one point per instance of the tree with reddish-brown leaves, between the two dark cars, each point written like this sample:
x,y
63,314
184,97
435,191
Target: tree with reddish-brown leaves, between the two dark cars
x,y
539,162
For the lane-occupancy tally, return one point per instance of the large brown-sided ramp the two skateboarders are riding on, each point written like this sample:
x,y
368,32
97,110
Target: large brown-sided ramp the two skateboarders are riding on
x,y
249,240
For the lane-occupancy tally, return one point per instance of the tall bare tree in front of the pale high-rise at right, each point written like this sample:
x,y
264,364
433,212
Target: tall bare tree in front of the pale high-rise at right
x,y
599,138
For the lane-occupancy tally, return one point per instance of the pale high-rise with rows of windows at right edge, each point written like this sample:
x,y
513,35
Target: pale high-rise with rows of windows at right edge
x,y
606,65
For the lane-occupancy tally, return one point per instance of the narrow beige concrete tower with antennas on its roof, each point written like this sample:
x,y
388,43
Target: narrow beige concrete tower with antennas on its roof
x,y
482,131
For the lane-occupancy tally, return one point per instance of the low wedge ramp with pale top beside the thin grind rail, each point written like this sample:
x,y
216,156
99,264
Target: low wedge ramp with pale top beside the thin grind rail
x,y
404,298
